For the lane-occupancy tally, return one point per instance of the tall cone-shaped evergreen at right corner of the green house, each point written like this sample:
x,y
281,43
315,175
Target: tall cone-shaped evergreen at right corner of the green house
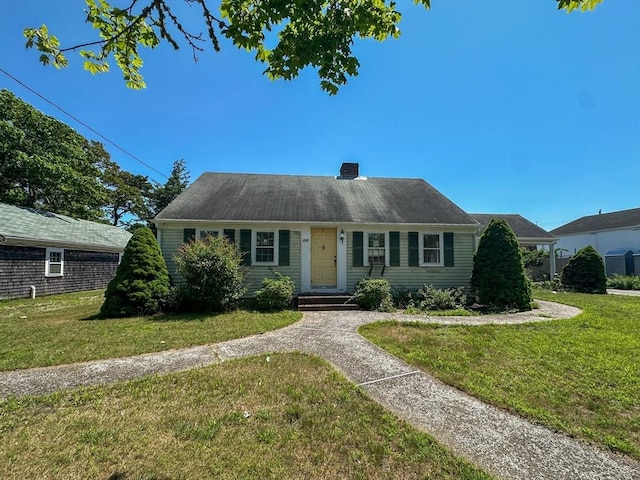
x,y
498,279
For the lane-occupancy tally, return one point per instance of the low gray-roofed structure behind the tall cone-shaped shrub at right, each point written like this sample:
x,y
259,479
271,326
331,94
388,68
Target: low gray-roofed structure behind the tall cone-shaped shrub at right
x,y
529,235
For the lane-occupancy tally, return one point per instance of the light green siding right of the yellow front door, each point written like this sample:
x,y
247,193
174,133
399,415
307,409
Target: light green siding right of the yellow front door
x,y
415,277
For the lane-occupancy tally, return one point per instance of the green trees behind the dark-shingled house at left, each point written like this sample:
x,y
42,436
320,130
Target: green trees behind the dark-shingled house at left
x,y
46,164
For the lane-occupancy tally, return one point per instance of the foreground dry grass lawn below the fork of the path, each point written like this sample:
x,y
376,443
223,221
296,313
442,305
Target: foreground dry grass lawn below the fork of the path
x,y
302,420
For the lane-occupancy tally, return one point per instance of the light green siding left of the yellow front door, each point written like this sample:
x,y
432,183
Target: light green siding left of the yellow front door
x,y
171,240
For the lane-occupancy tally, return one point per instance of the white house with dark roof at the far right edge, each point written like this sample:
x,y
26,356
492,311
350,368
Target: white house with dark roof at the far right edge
x,y
614,235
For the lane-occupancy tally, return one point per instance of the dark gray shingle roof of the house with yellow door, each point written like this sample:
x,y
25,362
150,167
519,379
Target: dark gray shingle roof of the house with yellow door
x,y
293,198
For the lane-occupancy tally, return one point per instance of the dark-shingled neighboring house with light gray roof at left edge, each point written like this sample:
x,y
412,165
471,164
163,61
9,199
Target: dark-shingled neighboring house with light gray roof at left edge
x,y
43,253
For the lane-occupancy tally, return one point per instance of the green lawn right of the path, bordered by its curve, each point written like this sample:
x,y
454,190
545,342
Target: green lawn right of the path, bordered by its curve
x,y
580,376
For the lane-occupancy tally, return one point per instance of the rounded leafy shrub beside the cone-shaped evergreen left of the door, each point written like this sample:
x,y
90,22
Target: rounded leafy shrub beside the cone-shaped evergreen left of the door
x,y
212,273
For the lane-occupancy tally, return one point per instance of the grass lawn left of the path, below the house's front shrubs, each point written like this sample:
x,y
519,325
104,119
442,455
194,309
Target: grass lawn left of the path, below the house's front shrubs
x,y
60,329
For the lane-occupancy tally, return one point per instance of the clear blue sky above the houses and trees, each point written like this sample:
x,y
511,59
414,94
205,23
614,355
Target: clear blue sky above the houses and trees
x,y
505,106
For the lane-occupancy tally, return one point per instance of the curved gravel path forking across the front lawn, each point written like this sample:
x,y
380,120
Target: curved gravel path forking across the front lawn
x,y
502,443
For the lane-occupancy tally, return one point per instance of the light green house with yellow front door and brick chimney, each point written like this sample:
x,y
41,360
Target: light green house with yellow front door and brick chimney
x,y
327,232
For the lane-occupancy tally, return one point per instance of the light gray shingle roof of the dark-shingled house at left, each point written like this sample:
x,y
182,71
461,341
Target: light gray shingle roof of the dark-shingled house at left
x,y
22,223
